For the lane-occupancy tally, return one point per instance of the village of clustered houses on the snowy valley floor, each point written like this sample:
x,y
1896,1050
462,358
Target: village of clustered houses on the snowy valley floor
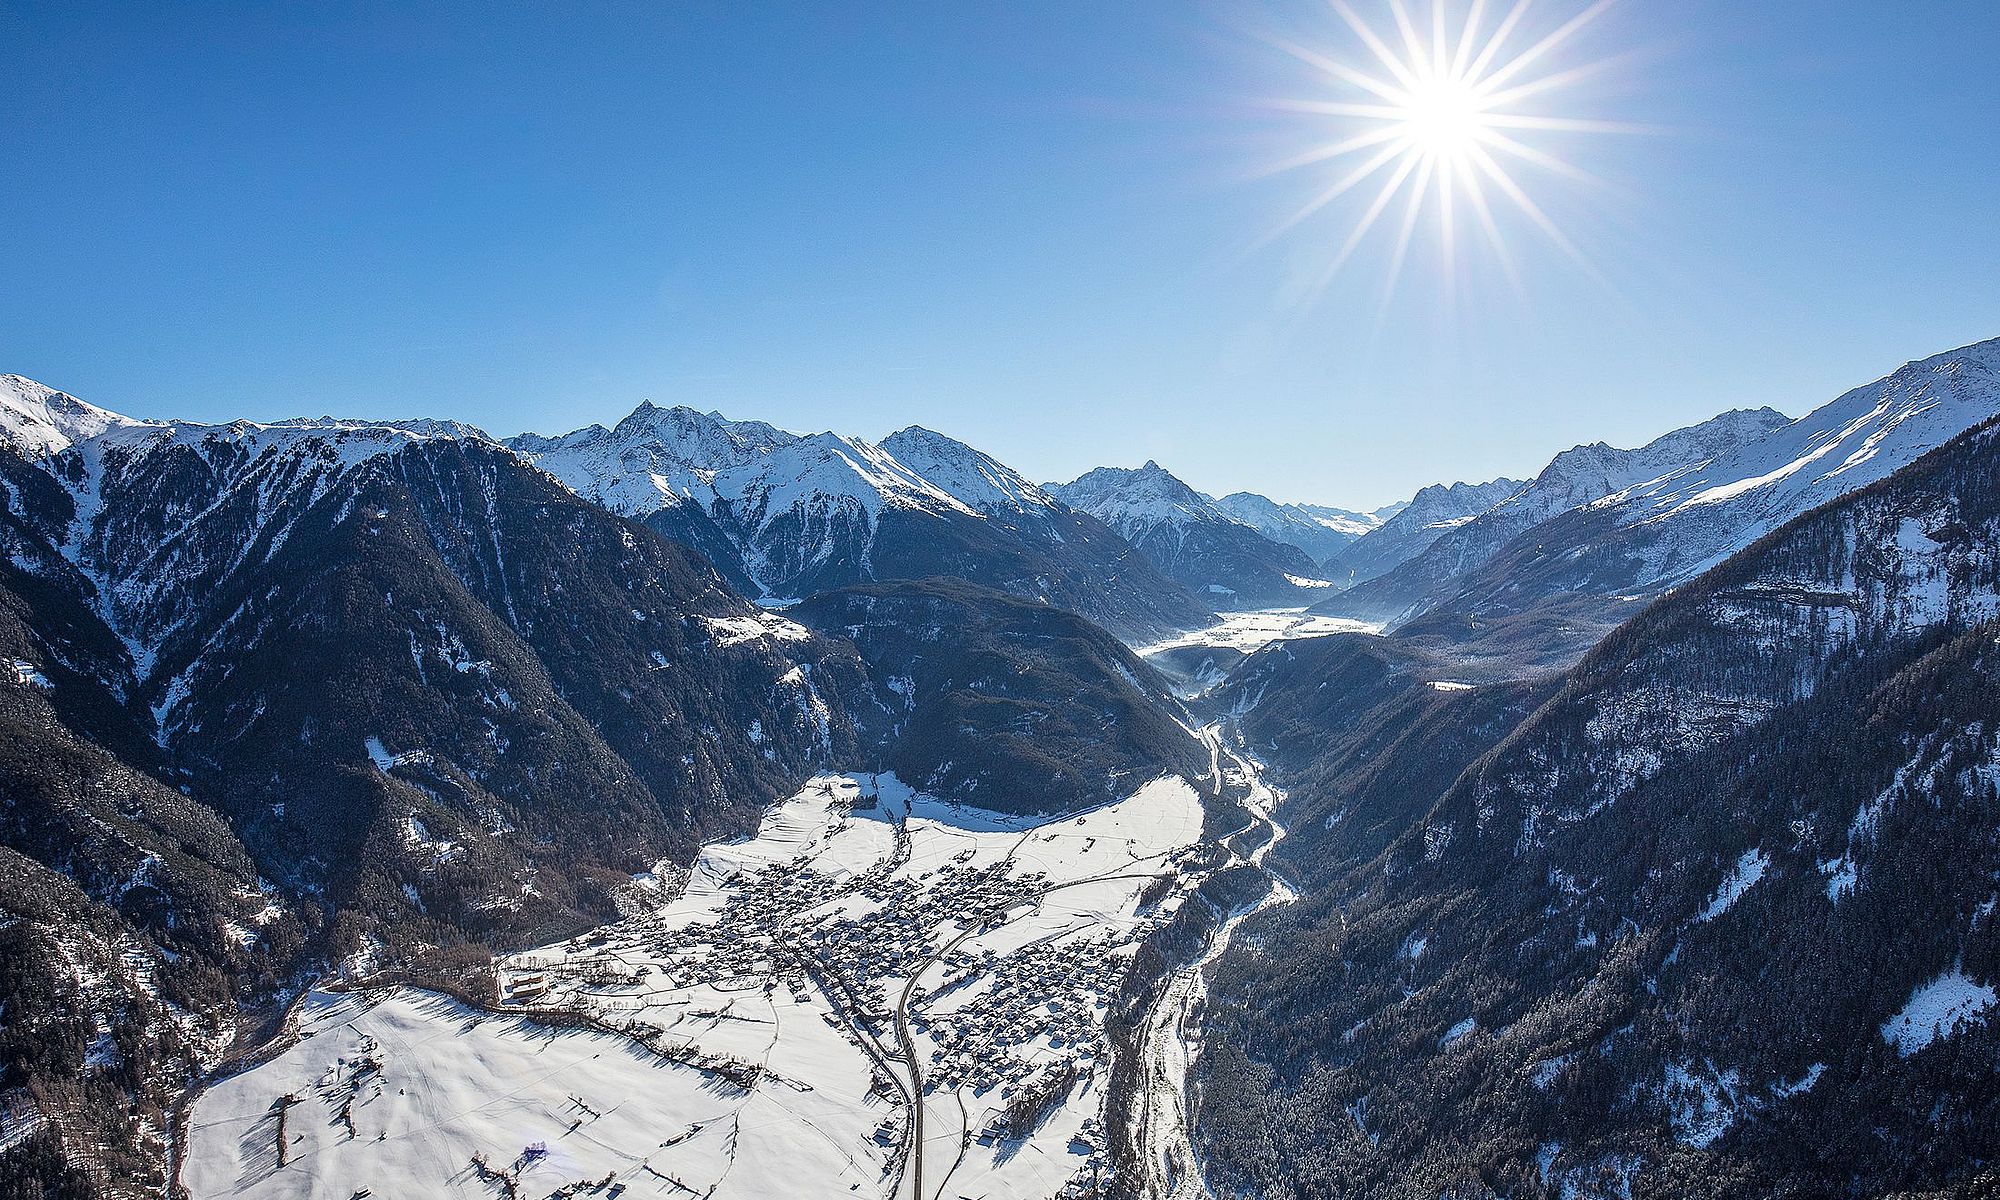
x,y
995,1015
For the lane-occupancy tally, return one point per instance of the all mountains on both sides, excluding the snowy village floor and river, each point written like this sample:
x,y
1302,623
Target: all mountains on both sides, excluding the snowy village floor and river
x,y
1657,901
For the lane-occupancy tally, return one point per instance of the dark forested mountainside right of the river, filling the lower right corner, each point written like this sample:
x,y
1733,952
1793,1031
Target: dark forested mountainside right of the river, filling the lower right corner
x,y
1717,919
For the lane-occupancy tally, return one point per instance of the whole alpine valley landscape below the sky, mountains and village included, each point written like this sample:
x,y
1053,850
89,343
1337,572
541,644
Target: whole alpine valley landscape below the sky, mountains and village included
x,y
703,809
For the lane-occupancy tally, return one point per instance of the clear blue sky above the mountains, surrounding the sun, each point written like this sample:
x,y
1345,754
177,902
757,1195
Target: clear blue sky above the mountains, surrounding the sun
x,y
1029,225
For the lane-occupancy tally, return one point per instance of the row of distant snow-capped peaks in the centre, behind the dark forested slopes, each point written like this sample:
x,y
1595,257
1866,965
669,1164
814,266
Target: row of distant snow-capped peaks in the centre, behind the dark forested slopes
x,y
787,515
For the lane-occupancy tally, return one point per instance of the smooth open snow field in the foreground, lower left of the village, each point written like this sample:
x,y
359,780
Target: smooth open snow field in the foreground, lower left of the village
x,y
427,1085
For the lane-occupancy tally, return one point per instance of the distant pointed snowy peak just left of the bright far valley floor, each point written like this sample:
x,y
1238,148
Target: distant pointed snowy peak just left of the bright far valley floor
x,y
1187,537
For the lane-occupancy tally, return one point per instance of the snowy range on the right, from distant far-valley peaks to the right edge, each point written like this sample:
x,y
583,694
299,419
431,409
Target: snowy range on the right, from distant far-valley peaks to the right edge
x,y
1741,477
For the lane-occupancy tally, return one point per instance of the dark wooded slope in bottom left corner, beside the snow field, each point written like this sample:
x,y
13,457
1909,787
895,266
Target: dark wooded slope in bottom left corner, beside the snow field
x,y
133,925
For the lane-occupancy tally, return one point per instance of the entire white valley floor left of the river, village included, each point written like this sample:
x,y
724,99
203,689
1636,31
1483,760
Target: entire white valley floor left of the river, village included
x,y
761,1019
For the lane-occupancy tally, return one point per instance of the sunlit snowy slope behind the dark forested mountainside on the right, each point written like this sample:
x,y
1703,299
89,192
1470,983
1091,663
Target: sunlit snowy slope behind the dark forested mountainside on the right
x,y
1593,565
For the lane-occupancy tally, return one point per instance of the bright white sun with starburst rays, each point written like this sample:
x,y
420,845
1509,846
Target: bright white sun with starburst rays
x,y
1439,115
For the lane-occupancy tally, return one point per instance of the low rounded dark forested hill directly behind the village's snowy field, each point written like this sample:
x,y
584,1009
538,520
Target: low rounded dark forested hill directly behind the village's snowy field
x,y
1003,703
